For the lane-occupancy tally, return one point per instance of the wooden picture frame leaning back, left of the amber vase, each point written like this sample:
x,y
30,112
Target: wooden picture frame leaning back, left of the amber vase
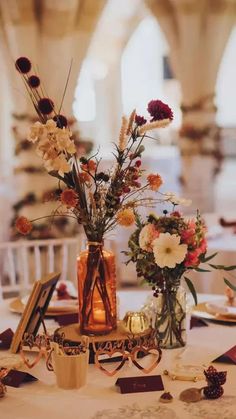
x,y
35,308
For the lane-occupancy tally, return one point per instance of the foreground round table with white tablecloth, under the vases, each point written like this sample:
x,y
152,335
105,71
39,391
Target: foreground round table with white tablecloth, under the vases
x,y
100,398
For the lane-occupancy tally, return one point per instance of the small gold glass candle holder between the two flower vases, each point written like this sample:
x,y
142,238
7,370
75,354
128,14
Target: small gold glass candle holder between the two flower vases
x,y
136,322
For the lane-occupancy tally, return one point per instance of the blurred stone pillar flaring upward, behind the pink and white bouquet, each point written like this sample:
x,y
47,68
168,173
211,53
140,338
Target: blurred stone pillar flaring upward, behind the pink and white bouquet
x,y
192,28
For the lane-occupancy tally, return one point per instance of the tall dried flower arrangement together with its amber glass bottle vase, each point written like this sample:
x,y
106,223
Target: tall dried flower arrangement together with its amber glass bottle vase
x,y
98,200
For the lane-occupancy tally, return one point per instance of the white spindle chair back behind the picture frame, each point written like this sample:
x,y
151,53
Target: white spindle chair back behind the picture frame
x,y
24,261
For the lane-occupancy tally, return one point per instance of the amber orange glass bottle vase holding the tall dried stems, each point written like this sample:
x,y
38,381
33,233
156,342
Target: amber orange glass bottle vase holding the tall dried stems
x,y
97,290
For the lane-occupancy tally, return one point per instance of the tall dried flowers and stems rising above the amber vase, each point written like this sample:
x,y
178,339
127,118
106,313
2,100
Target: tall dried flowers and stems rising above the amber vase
x,y
98,200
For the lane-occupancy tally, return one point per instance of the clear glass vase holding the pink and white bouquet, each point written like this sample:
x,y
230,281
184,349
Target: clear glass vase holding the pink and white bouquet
x,y
167,314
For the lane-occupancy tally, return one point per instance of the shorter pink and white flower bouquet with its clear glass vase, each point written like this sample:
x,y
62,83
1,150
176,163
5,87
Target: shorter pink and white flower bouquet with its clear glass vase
x,y
164,248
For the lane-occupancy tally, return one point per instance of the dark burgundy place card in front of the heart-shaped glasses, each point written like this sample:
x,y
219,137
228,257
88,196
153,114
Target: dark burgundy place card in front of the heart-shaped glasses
x,y
140,384
